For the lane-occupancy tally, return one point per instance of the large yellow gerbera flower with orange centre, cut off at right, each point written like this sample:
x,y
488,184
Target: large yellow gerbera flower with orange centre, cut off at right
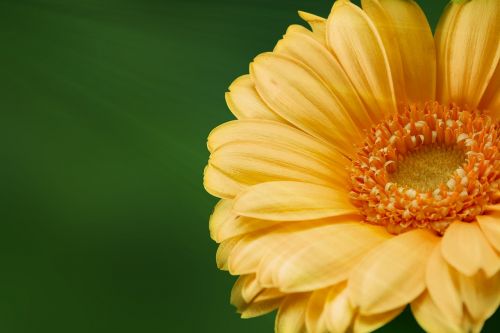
x,y
363,172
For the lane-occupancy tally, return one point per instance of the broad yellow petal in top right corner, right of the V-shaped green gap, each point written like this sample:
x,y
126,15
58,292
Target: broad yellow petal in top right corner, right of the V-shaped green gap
x,y
469,42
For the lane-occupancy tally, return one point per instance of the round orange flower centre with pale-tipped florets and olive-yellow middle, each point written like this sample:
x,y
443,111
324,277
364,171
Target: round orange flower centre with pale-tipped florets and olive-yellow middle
x,y
426,167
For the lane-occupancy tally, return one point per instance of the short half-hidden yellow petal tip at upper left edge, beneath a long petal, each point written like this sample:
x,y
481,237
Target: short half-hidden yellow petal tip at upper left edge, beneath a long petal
x,y
245,103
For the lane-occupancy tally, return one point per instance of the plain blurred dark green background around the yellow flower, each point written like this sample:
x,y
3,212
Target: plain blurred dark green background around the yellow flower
x,y
105,109
